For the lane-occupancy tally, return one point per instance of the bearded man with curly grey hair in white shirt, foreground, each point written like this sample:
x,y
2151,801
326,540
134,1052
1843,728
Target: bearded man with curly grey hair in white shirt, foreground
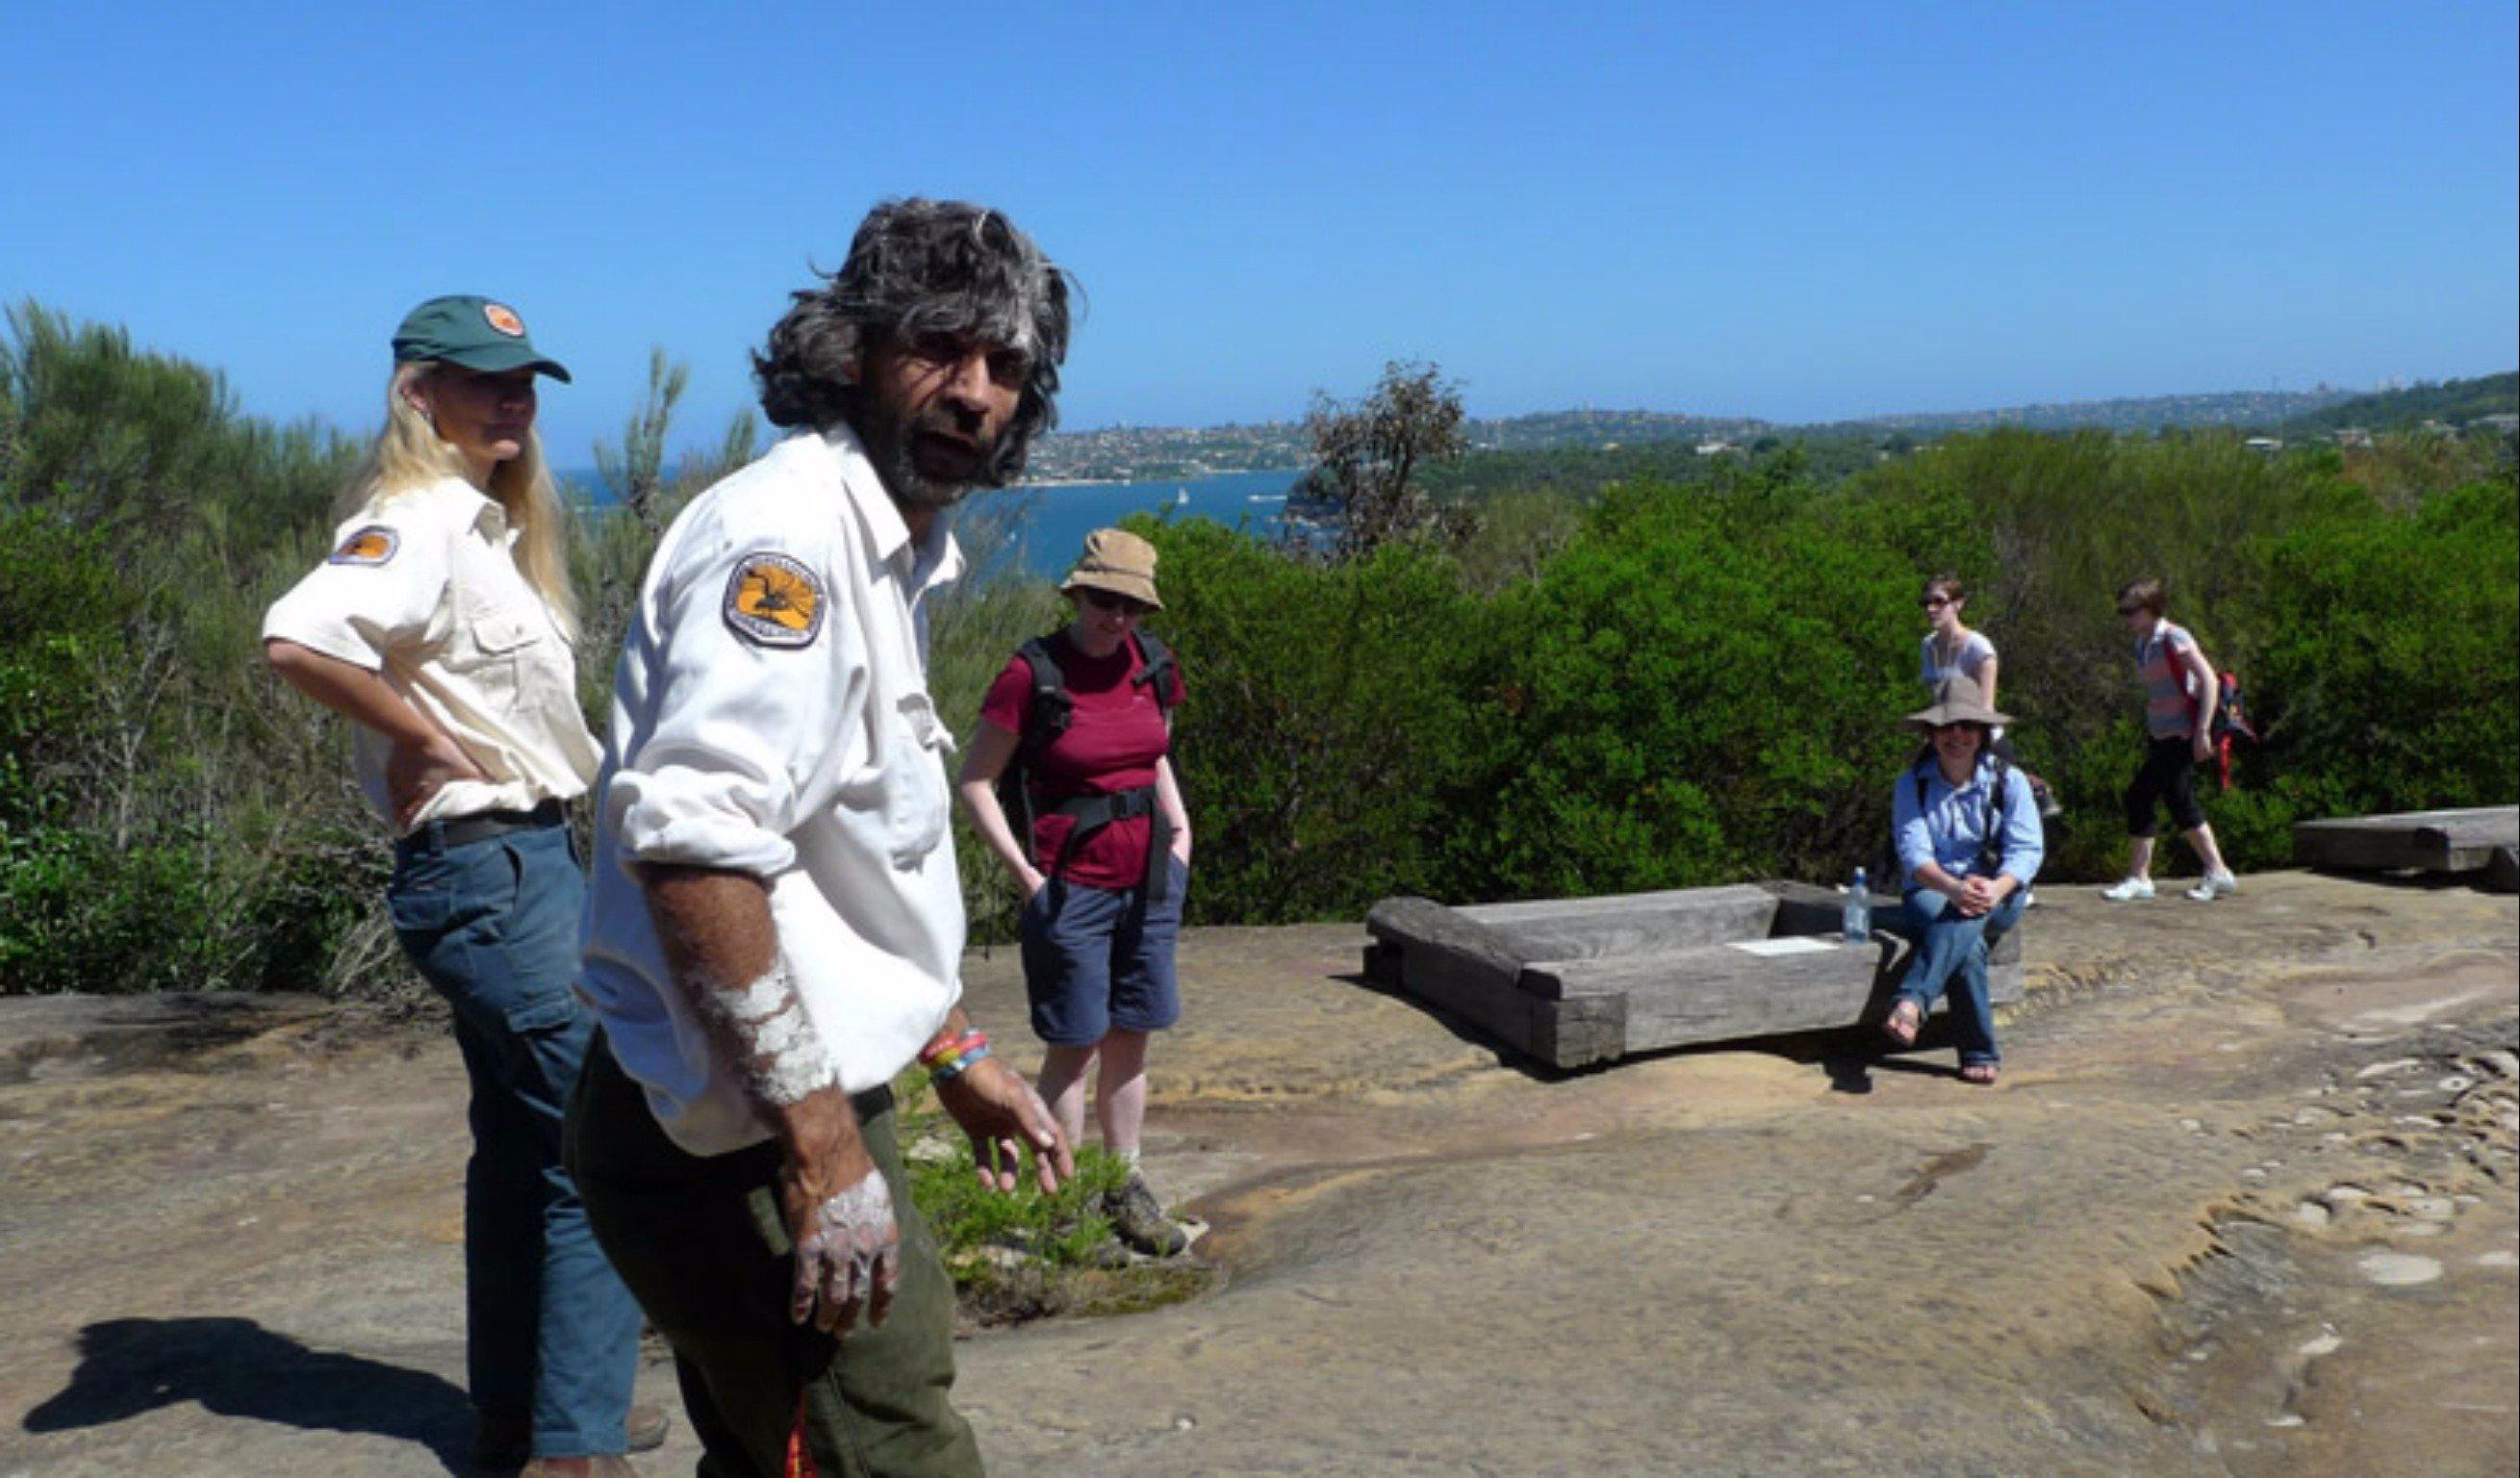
x,y
775,924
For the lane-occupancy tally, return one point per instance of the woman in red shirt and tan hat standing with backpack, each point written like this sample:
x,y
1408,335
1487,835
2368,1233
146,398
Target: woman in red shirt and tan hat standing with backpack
x,y
1108,851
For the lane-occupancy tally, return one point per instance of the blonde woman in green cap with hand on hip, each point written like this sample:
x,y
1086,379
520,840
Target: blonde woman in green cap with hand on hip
x,y
442,627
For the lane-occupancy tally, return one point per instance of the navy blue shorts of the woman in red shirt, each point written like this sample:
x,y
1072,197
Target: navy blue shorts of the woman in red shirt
x,y
1100,960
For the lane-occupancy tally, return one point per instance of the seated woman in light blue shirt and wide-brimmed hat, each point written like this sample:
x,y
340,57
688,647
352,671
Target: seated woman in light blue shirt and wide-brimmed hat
x,y
1967,846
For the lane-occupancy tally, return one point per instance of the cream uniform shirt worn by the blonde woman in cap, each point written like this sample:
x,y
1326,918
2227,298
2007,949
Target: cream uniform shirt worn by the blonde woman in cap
x,y
425,589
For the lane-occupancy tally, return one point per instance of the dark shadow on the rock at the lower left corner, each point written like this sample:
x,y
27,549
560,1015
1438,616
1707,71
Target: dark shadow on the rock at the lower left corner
x,y
238,1368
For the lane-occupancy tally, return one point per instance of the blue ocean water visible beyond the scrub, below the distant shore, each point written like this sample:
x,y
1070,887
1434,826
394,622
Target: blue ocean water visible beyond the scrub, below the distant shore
x,y
1050,523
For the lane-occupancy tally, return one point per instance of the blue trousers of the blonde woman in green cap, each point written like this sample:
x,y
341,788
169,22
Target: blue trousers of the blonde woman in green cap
x,y
548,1328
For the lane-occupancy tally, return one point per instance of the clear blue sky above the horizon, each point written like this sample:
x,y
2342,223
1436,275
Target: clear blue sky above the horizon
x,y
1773,211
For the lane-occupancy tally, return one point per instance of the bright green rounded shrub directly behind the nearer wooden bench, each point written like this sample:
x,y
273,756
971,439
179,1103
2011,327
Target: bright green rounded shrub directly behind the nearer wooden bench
x,y
1682,702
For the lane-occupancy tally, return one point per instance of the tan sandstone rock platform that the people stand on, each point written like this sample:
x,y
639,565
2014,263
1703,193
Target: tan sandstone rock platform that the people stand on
x,y
2242,1204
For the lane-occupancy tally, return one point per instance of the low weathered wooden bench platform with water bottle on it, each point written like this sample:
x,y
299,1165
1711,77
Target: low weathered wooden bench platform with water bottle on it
x,y
1596,980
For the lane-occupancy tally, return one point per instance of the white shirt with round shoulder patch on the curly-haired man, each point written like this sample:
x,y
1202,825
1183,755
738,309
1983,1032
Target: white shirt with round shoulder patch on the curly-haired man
x,y
772,718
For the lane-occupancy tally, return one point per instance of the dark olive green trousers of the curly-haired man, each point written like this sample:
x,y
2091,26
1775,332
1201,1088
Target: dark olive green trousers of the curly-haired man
x,y
704,1247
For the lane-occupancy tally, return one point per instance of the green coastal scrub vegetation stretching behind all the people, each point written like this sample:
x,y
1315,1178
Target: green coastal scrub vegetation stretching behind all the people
x,y
1559,687
